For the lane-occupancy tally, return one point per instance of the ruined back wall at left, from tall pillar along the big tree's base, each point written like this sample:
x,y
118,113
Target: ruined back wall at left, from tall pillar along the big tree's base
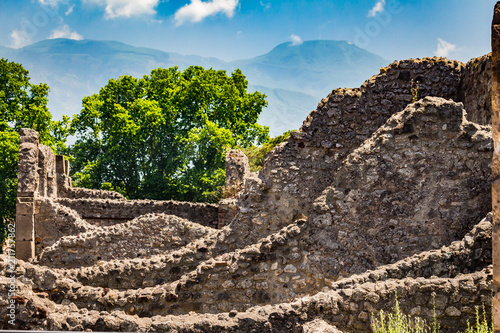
x,y
48,207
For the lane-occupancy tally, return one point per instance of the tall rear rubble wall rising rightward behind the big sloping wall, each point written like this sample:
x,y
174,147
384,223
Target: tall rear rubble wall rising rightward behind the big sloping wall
x,y
297,171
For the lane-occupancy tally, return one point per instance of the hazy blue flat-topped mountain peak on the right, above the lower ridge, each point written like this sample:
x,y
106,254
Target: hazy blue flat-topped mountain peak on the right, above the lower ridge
x,y
313,67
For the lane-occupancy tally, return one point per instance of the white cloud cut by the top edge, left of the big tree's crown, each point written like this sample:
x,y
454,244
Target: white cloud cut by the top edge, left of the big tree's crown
x,y
127,8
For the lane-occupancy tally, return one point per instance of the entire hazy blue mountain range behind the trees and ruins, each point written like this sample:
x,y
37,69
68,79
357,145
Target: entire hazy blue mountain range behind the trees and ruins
x,y
294,77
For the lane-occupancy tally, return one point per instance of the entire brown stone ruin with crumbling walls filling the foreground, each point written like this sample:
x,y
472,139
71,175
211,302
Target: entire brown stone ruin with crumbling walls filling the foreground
x,y
385,189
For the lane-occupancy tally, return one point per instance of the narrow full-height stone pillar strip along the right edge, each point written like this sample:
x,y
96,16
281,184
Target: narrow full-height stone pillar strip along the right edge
x,y
495,96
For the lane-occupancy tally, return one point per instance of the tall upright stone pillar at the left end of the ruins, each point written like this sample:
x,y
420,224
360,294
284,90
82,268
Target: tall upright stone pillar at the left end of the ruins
x,y
27,191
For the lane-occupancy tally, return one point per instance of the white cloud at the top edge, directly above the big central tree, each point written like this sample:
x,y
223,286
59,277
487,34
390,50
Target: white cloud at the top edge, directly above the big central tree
x,y
197,10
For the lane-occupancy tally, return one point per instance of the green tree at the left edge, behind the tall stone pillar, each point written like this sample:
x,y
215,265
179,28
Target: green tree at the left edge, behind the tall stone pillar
x,y
22,104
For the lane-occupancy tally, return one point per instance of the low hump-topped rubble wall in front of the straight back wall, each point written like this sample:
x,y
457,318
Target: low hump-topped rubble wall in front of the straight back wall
x,y
145,236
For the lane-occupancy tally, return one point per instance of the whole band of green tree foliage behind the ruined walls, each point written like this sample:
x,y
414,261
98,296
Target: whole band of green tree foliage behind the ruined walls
x,y
162,136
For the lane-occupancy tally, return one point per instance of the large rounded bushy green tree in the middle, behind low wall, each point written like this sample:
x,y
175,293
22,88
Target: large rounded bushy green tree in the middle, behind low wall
x,y
164,136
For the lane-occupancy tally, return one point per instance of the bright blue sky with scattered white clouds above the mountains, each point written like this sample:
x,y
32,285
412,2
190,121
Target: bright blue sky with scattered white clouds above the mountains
x,y
239,29
